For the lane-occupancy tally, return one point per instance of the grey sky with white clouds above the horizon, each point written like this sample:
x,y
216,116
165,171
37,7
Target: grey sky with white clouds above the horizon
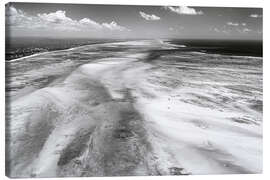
x,y
121,21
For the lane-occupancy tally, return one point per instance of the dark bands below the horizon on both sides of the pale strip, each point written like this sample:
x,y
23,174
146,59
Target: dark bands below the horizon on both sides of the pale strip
x,y
21,47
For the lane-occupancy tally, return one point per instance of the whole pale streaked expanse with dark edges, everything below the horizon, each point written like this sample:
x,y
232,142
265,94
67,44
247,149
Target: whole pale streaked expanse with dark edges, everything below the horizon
x,y
134,107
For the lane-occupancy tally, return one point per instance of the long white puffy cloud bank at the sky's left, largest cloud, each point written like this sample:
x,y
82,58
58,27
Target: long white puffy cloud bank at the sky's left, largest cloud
x,y
57,21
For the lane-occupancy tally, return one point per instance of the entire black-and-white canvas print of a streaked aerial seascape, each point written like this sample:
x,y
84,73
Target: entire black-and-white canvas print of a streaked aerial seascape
x,y
117,90
